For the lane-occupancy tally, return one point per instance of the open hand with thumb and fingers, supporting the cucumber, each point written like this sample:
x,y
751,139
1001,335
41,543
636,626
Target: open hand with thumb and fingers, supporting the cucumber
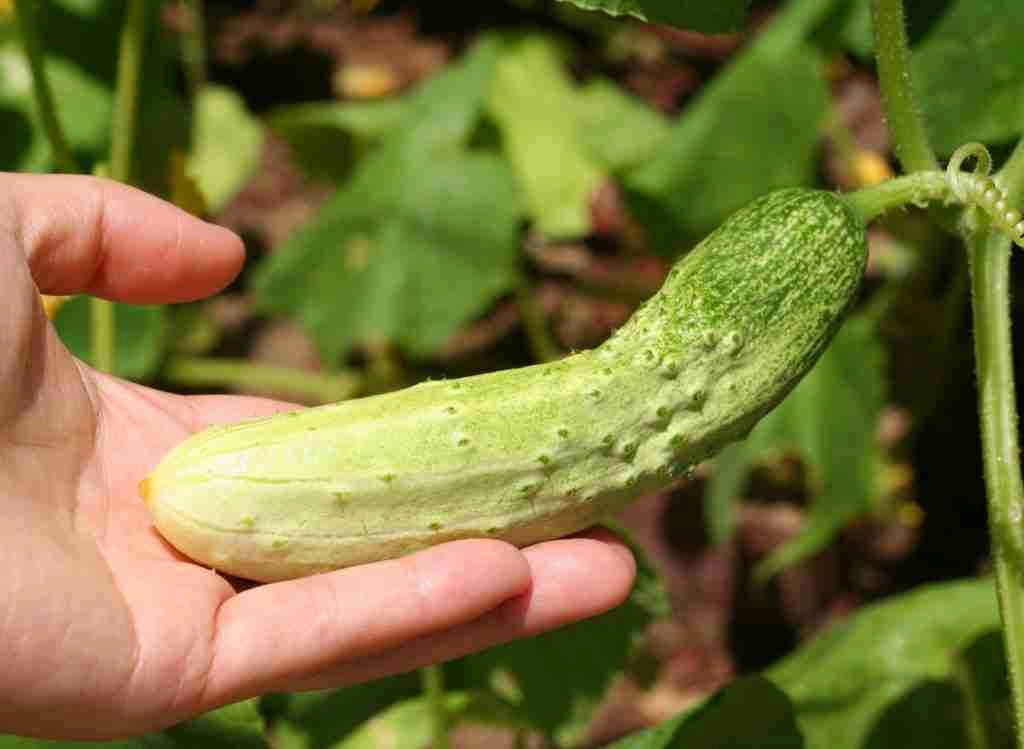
x,y
106,632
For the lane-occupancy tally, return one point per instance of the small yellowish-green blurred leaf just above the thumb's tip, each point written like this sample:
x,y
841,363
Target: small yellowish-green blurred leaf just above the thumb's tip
x,y
227,149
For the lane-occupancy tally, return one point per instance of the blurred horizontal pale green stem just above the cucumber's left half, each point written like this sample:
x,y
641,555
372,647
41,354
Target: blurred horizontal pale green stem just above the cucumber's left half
x,y
316,387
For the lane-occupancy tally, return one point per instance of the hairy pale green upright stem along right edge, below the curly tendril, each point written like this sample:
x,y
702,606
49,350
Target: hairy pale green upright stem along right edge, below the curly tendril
x,y
989,255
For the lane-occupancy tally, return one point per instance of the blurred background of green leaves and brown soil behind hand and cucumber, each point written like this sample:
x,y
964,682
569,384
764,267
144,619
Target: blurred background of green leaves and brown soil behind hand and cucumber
x,y
434,190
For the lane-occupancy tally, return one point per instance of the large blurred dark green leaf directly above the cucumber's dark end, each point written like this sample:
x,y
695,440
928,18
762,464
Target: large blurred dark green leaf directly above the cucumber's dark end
x,y
754,129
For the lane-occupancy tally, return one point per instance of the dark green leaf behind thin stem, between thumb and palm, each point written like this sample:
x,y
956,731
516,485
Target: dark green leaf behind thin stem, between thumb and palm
x,y
141,332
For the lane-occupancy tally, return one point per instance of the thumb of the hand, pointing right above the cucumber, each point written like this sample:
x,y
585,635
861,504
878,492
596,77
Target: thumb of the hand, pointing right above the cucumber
x,y
90,235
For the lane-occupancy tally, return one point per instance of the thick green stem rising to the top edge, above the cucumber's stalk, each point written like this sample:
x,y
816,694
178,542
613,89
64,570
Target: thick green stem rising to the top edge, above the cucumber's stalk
x,y
907,127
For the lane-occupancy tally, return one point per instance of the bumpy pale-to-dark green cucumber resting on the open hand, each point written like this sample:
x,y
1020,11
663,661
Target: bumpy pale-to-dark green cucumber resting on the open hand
x,y
536,453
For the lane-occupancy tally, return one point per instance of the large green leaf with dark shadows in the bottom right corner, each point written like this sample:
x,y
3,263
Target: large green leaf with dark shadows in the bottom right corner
x,y
912,673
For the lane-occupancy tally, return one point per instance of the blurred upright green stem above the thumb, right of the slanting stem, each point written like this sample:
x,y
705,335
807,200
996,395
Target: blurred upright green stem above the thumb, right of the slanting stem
x,y
126,102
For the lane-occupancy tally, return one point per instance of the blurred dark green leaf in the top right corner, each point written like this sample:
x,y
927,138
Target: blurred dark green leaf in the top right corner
x,y
969,74
